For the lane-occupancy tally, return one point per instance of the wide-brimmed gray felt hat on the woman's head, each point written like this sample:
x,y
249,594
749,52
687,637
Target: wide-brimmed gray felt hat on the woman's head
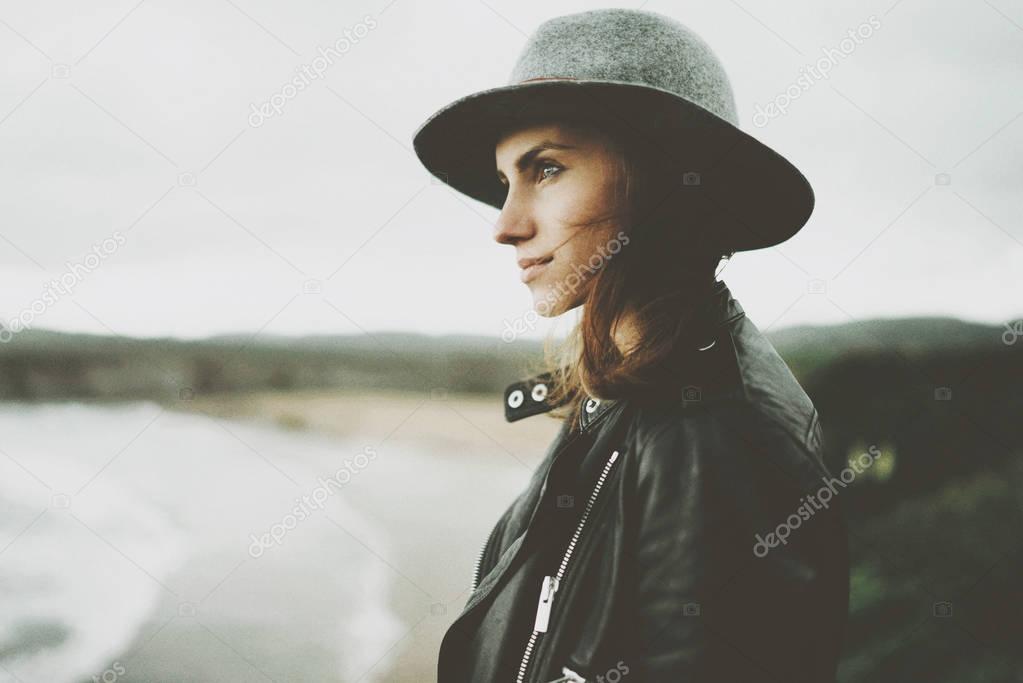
x,y
647,73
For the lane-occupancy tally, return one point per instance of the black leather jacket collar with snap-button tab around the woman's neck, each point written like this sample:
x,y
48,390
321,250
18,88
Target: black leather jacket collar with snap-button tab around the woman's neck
x,y
713,376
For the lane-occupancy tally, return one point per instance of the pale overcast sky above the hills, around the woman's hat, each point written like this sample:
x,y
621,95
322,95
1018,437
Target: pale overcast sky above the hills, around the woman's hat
x,y
131,123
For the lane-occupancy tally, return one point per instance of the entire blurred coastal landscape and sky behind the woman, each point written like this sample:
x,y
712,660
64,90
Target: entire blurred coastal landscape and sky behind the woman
x,y
252,354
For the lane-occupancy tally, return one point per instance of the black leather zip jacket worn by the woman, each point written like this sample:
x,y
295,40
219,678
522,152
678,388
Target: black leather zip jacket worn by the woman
x,y
648,547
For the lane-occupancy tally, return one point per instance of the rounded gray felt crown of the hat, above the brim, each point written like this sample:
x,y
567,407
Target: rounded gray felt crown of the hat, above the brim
x,y
629,47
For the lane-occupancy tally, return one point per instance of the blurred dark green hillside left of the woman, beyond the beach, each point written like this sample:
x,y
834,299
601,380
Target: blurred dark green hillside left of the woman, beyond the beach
x,y
48,366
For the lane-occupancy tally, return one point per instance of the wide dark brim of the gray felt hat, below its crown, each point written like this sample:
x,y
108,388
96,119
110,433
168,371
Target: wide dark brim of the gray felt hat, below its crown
x,y
750,196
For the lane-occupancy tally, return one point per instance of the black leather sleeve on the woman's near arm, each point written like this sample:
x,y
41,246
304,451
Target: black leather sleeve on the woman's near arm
x,y
708,607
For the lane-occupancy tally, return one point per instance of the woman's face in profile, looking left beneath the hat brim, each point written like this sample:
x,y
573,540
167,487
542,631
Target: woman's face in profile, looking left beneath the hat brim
x,y
560,210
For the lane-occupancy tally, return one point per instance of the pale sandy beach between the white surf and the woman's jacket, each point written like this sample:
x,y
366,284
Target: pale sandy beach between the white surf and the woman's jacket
x,y
463,442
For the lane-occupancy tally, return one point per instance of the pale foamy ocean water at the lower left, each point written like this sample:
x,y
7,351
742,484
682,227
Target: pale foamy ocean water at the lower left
x,y
127,552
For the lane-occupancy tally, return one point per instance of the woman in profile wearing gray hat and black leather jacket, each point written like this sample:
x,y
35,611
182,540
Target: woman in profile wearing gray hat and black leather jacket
x,y
677,530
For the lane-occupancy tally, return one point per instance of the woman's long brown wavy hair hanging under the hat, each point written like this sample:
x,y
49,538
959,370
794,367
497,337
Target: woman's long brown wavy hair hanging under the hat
x,y
663,270
